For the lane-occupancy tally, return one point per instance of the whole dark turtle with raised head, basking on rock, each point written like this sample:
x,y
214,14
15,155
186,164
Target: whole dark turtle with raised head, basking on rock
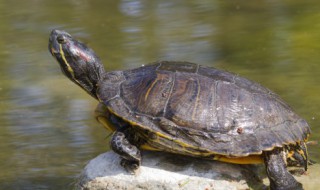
x,y
188,109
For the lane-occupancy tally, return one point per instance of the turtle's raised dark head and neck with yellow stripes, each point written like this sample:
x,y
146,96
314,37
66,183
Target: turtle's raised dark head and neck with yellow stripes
x,y
78,62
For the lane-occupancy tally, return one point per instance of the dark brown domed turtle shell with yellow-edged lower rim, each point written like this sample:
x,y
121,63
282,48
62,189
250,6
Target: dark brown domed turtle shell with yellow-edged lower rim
x,y
191,109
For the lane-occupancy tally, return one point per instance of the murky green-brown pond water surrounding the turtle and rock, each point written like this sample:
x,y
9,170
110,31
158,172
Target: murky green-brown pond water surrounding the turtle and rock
x,y
48,132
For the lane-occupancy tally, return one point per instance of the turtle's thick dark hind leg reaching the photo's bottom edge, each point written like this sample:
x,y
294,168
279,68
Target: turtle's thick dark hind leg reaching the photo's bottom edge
x,y
279,177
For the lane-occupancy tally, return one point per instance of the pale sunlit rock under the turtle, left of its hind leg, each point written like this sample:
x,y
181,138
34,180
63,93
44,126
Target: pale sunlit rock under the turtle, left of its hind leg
x,y
169,172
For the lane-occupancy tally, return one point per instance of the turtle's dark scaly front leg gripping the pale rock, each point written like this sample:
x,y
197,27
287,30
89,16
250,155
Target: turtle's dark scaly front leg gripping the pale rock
x,y
130,154
